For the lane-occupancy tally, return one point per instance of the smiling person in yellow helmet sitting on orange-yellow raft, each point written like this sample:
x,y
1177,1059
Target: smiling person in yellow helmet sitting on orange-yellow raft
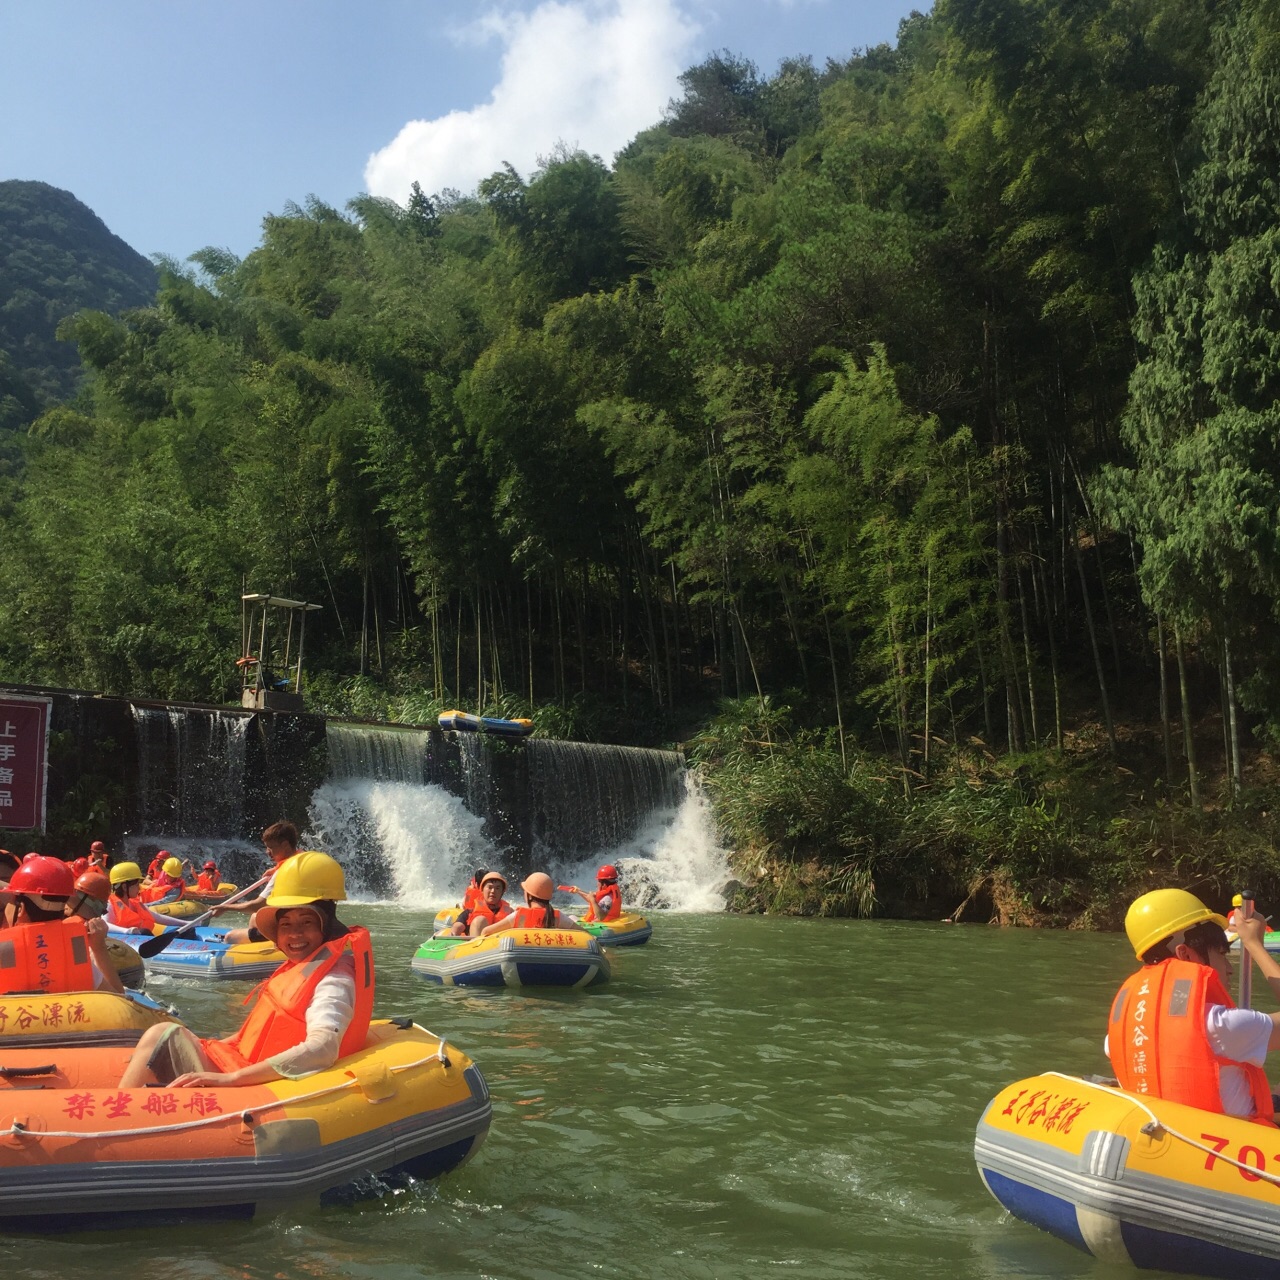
x,y
310,1013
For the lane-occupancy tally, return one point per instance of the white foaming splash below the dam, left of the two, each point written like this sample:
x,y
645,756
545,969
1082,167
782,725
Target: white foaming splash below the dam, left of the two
x,y
422,835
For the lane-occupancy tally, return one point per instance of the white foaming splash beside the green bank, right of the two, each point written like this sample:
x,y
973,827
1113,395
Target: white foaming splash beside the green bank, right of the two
x,y
675,863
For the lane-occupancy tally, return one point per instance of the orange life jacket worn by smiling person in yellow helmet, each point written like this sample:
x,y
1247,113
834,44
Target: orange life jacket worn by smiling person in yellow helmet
x,y
280,1020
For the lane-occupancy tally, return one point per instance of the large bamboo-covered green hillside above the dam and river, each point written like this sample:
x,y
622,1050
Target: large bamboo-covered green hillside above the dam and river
x,y
922,406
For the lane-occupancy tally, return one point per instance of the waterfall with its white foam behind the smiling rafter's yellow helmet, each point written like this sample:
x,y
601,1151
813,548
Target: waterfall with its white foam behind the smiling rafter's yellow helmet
x,y
396,835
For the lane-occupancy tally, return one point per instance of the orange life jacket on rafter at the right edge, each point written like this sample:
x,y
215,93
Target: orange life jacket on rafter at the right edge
x,y
1159,1043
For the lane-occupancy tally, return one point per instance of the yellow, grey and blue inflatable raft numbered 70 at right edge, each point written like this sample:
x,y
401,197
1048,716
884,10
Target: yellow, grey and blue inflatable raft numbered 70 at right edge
x,y
1136,1181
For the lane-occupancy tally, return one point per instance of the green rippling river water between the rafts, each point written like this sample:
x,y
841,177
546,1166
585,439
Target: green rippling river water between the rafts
x,y
749,1096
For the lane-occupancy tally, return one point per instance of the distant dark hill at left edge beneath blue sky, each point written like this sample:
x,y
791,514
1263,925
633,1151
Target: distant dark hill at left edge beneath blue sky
x,y
57,258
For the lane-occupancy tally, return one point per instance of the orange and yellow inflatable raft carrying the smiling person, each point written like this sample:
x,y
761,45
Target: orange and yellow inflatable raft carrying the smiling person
x,y
80,1154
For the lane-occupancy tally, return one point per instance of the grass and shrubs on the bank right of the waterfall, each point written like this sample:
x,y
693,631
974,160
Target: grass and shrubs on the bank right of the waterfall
x,y
1048,838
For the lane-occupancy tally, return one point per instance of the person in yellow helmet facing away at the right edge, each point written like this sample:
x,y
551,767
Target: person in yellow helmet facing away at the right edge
x,y
1174,1031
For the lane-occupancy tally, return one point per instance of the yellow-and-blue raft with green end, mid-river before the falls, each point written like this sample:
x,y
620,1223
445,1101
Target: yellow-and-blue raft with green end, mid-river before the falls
x,y
518,958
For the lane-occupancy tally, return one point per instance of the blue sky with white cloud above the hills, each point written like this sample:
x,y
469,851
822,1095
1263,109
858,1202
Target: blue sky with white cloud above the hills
x,y
182,125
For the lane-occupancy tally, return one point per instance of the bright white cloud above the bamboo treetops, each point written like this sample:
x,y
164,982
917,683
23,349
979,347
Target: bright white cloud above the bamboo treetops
x,y
588,74
